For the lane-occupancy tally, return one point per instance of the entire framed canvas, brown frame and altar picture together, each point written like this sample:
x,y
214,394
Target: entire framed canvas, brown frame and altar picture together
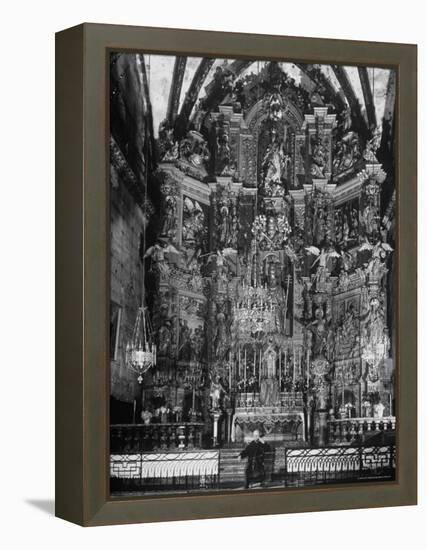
x,y
242,319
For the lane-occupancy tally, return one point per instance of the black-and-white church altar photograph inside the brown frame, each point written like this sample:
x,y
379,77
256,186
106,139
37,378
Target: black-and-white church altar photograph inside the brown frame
x,y
252,210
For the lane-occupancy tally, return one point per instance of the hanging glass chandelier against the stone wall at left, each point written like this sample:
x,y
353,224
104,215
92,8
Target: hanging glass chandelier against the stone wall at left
x,y
141,349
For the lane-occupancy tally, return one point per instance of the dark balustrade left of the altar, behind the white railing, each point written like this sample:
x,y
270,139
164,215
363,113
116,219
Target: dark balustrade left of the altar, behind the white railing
x,y
173,436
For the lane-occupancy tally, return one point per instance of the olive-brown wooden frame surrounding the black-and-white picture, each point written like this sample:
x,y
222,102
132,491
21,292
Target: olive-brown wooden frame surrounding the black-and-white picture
x,y
82,280
